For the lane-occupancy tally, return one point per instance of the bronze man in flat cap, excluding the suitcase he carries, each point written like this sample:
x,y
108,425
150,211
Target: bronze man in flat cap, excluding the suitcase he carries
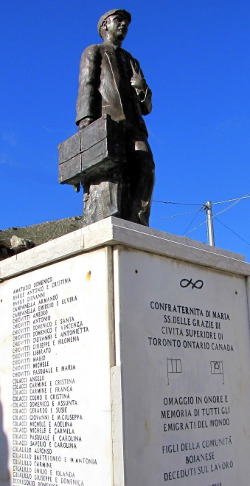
x,y
111,82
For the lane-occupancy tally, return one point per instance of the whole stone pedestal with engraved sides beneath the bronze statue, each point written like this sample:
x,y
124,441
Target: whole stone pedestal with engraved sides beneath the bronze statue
x,y
124,361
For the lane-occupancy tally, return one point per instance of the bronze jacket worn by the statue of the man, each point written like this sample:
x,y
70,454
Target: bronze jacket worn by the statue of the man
x,y
105,87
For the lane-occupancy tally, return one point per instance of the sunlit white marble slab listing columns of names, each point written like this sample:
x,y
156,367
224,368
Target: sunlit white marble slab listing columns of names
x,y
60,384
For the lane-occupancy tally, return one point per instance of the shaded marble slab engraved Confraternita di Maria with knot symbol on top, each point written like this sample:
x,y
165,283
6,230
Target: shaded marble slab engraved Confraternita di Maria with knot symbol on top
x,y
185,372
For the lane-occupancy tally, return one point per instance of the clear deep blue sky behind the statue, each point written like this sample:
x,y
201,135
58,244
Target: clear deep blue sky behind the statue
x,y
195,57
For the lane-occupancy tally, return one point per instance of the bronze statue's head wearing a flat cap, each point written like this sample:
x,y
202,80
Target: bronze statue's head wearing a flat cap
x,y
114,25
